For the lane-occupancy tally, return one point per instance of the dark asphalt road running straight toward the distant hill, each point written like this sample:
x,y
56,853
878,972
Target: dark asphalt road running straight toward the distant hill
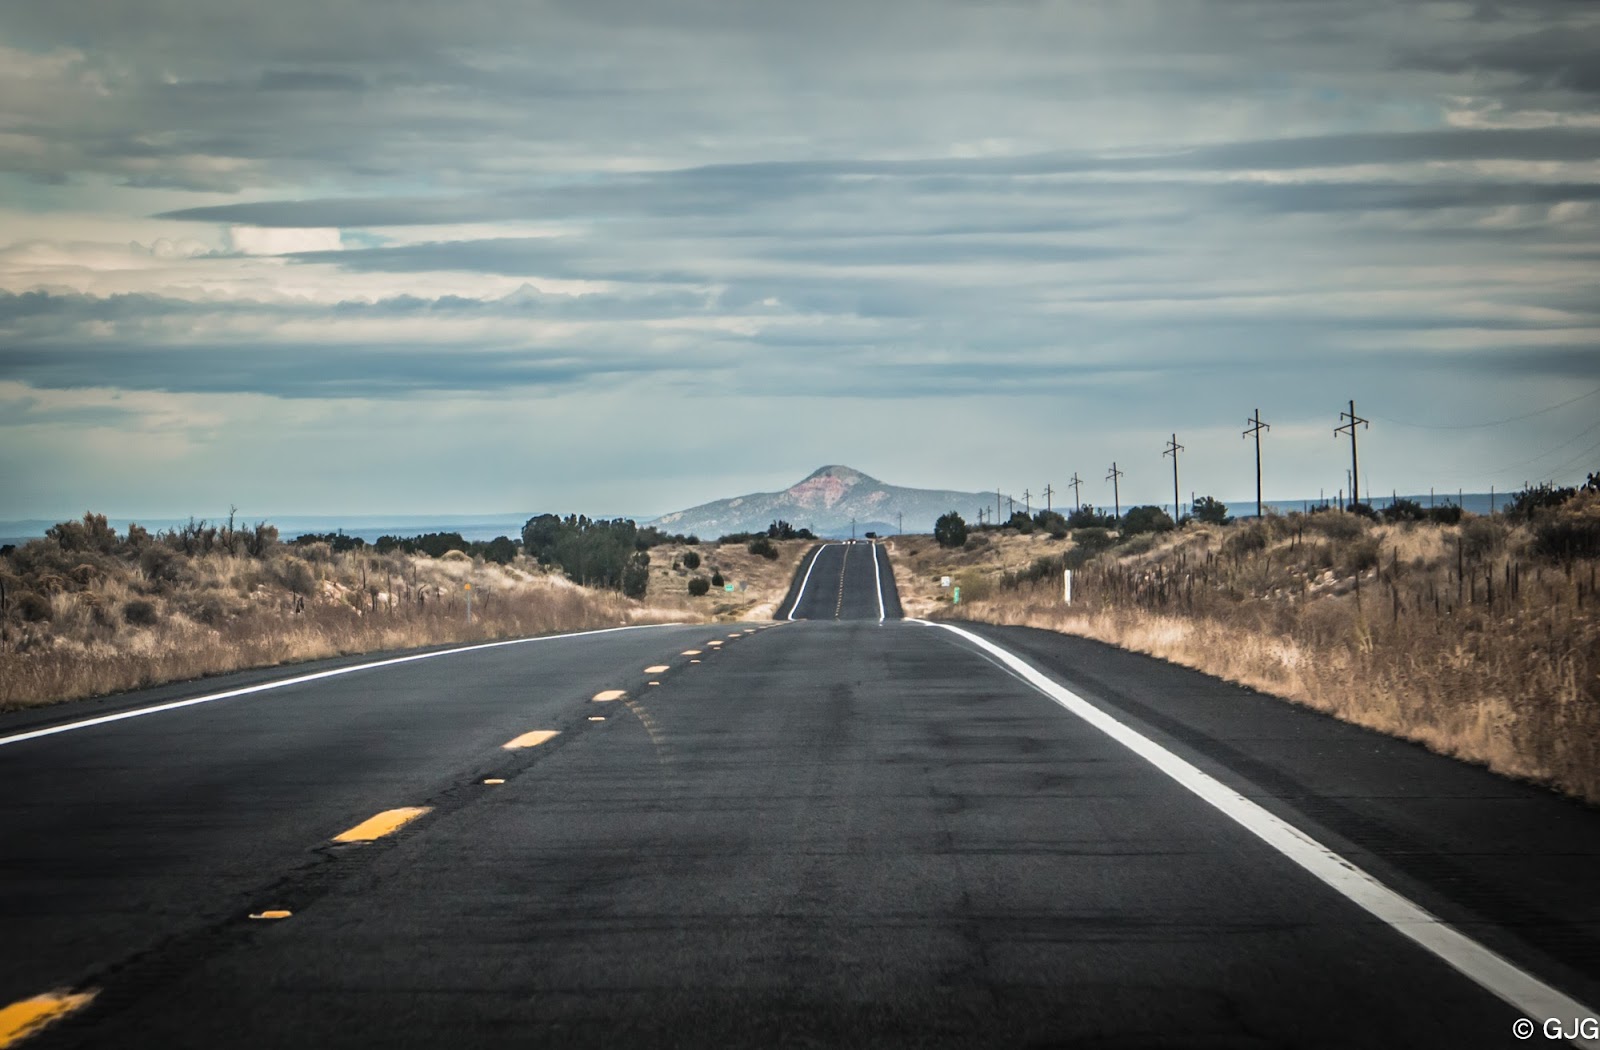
x,y
828,832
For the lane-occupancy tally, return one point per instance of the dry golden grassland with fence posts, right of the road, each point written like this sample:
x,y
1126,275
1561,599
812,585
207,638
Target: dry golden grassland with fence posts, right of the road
x,y
1458,638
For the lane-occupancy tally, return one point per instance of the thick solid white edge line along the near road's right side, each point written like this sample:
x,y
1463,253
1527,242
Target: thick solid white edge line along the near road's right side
x,y
1486,968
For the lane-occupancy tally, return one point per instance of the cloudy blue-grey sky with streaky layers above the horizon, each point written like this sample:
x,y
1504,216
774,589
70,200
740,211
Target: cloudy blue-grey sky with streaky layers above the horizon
x,y
626,257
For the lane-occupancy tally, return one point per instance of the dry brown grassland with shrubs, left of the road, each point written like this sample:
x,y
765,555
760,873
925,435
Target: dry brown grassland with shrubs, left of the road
x,y
87,612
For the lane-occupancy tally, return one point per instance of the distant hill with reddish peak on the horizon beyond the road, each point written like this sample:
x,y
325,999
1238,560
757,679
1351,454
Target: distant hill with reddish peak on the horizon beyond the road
x,y
825,502
